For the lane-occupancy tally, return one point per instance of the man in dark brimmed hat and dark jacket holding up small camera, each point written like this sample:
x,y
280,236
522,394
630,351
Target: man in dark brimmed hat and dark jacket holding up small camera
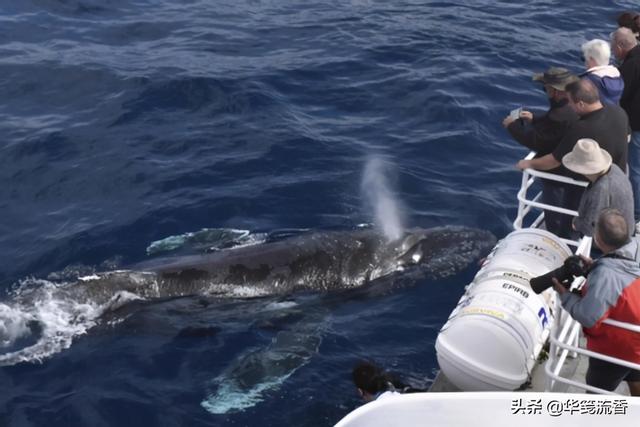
x,y
543,132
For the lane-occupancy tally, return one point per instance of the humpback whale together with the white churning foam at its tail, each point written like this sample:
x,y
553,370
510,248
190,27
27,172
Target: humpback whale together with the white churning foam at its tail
x,y
319,261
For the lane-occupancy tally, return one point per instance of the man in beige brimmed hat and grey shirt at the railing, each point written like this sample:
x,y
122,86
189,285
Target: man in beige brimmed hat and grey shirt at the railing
x,y
609,187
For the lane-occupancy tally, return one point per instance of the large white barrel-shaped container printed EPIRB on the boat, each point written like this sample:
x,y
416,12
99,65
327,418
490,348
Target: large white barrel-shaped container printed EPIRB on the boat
x,y
496,331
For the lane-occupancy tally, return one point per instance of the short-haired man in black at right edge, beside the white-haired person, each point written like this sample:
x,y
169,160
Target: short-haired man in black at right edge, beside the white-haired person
x,y
626,49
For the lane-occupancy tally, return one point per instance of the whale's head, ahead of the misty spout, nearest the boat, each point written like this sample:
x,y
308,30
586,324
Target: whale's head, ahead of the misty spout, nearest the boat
x,y
443,250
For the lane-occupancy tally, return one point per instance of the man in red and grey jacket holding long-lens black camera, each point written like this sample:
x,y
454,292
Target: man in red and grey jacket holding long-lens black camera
x,y
612,291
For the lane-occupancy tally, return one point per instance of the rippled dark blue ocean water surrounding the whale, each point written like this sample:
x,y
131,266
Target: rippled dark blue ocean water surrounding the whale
x,y
130,128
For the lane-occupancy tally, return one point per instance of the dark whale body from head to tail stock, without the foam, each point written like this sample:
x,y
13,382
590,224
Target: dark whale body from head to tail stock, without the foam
x,y
316,261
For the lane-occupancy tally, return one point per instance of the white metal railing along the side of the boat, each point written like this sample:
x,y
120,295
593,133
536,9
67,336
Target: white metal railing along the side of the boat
x,y
565,333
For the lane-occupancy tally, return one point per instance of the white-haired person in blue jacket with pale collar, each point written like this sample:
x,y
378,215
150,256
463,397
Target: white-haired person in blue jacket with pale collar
x,y
605,77
